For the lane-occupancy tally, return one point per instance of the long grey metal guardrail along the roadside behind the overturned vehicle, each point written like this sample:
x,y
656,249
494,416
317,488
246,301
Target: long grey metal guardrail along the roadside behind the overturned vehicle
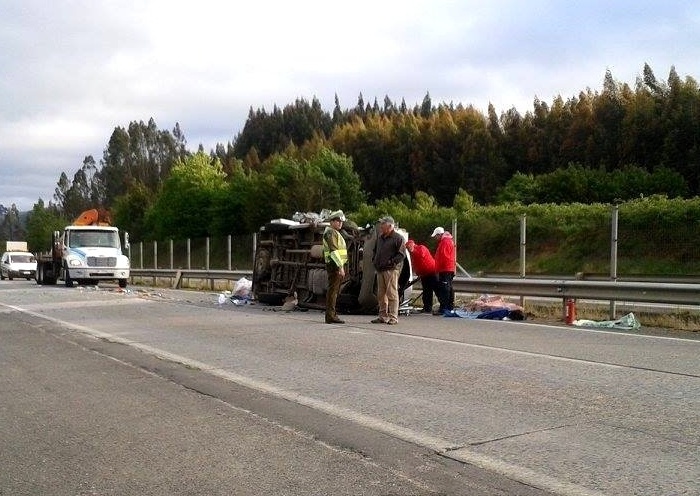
x,y
626,291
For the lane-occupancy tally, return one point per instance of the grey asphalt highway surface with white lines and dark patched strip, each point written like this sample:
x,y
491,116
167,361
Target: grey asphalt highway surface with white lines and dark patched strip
x,y
167,392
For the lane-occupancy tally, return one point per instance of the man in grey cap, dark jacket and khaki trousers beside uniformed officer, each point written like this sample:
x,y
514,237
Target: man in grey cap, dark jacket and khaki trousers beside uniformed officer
x,y
389,252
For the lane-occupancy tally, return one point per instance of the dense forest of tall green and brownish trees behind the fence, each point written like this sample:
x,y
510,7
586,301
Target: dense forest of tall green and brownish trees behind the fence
x,y
608,146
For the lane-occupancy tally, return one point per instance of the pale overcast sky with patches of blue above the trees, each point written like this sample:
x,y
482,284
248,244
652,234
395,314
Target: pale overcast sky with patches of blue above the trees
x,y
72,71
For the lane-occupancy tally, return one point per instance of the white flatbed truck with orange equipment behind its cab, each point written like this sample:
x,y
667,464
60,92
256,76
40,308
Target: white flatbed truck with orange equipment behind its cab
x,y
86,252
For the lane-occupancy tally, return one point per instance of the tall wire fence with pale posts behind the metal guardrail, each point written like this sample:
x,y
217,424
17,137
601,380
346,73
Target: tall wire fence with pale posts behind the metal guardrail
x,y
605,244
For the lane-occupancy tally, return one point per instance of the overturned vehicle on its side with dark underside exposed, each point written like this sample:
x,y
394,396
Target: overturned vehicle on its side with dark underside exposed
x,y
289,260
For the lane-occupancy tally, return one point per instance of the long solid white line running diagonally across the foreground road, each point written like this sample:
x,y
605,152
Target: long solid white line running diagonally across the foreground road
x,y
439,445
